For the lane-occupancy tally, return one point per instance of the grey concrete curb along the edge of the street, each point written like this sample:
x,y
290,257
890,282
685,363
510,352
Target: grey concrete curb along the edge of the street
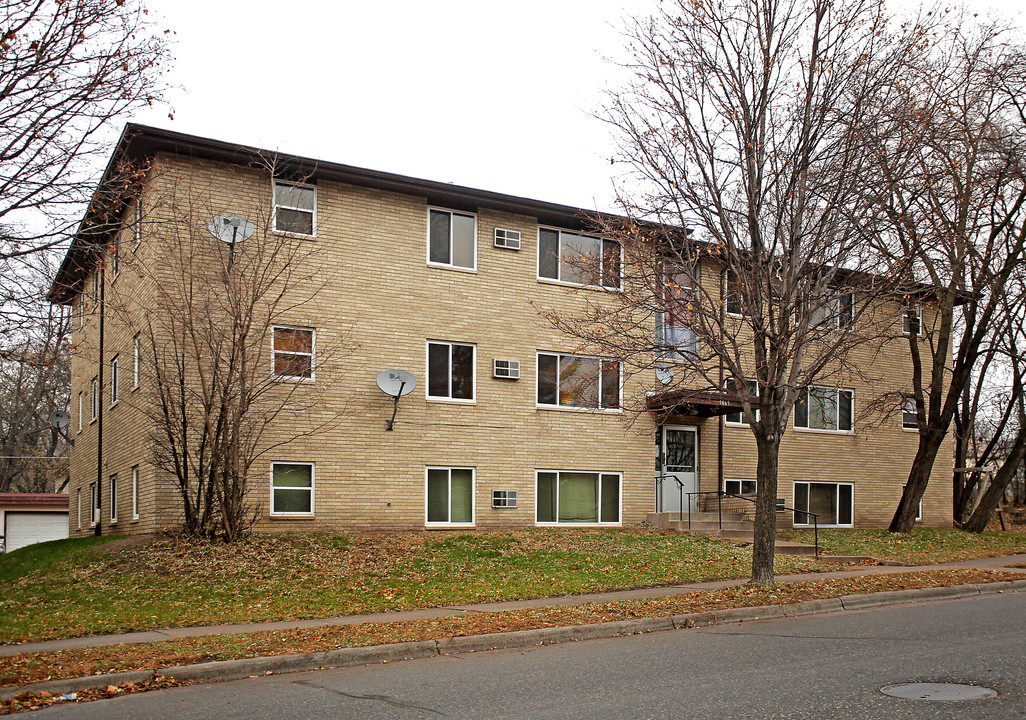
x,y
238,669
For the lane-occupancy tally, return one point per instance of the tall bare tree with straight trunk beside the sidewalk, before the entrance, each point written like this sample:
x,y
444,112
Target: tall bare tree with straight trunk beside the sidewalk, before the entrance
x,y
744,130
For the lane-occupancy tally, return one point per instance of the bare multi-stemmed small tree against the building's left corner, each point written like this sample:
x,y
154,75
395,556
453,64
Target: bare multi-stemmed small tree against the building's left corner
x,y
227,355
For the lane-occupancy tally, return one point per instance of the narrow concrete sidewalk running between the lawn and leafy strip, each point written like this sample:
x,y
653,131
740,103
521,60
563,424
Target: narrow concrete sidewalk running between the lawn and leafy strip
x,y
998,564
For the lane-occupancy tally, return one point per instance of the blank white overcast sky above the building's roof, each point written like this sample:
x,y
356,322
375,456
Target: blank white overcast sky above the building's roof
x,y
491,96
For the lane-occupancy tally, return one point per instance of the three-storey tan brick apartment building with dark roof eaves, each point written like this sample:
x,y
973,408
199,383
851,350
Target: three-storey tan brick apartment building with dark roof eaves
x,y
445,283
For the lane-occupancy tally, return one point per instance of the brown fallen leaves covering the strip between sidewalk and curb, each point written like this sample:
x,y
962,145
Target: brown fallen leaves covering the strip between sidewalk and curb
x,y
31,668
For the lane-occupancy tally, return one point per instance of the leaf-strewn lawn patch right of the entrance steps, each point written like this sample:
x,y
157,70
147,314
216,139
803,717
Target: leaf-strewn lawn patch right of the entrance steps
x,y
923,547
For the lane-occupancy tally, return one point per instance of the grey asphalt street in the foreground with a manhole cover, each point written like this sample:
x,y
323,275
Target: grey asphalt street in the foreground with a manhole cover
x,y
831,666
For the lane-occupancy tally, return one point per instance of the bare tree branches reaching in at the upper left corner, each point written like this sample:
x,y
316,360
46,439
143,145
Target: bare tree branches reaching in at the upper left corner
x,y
69,70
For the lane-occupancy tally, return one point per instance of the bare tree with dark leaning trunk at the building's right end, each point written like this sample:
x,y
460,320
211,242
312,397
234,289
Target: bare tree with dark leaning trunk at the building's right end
x,y
952,183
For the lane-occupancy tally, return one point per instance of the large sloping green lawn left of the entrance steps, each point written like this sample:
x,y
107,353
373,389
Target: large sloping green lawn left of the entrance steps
x,y
77,590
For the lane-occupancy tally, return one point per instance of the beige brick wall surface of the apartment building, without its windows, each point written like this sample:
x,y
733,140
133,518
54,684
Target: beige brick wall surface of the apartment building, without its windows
x,y
376,303
